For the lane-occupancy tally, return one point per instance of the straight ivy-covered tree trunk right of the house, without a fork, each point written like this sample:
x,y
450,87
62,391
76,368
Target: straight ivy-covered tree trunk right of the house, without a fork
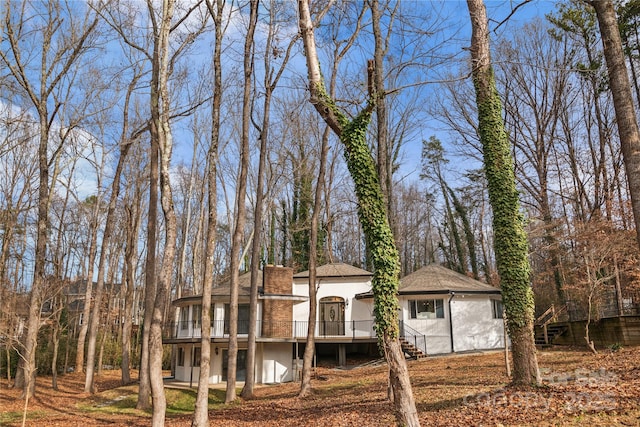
x,y
510,240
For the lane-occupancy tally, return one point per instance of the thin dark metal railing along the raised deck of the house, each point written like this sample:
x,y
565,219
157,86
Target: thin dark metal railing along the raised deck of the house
x,y
274,329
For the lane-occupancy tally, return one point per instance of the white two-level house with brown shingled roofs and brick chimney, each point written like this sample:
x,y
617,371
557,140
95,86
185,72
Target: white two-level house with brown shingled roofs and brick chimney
x,y
442,311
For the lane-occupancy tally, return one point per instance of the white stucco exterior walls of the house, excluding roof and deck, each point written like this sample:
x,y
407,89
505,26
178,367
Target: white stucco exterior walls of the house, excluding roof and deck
x,y
470,317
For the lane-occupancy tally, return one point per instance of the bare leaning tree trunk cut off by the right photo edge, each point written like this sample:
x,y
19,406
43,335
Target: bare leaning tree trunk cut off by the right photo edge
x,y
622,100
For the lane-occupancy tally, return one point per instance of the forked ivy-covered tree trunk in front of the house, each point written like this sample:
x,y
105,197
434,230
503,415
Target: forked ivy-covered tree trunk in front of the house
x,y
372,213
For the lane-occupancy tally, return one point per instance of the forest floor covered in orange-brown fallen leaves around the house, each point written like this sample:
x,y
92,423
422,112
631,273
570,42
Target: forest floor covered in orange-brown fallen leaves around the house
x,y
471,389
